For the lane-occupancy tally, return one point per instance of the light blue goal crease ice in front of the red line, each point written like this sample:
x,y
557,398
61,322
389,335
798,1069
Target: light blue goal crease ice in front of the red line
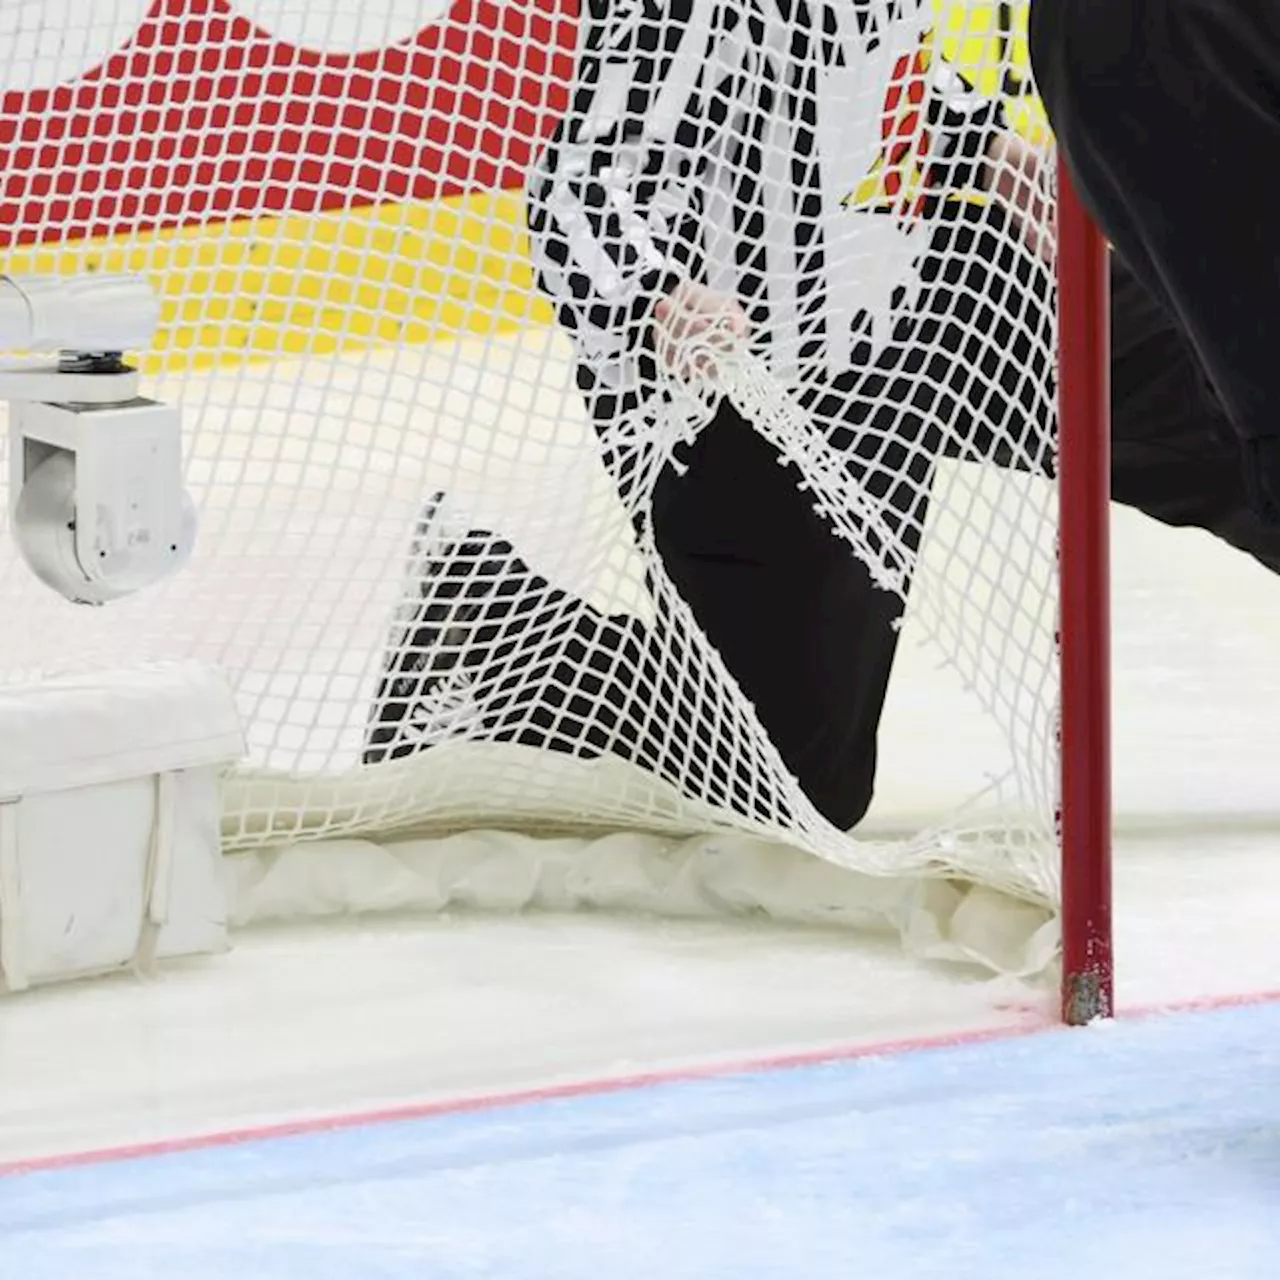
x,y
1123,1153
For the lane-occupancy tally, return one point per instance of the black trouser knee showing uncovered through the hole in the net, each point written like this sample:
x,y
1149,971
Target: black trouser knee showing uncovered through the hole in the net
x,y
793,612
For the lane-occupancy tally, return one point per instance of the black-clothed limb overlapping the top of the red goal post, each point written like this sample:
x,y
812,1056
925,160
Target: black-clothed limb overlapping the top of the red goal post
x,y
1168,113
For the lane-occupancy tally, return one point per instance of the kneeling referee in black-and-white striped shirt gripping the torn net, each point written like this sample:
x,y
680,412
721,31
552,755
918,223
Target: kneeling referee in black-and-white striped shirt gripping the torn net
x,y
815,181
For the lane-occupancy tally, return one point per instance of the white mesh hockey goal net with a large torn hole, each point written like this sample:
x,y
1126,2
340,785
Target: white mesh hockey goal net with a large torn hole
x,y
441,607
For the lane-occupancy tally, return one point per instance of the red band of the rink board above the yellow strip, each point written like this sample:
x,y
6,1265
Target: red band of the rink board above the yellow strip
x,y
203,117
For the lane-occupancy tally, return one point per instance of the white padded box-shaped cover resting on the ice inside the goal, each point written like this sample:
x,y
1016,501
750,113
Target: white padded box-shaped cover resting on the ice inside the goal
x,y
111,821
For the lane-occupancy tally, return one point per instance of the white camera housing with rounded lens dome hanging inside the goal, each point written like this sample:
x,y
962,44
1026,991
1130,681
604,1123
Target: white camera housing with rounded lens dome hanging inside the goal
x,y
97,501
